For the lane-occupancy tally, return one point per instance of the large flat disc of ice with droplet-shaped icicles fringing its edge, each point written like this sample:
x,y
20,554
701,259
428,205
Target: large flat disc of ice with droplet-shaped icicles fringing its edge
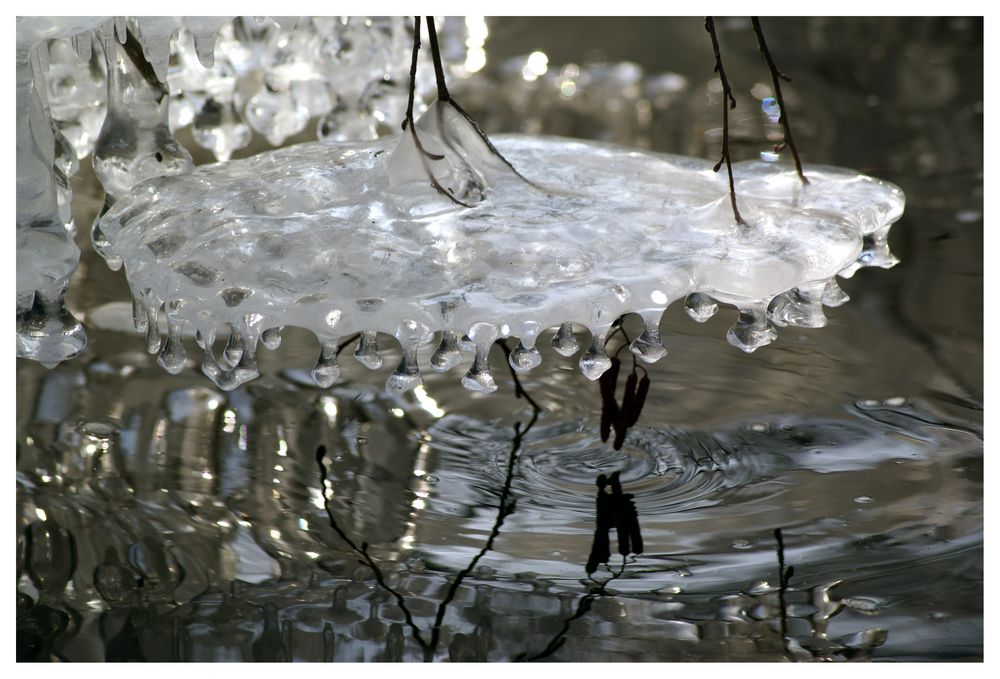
x,y
343,238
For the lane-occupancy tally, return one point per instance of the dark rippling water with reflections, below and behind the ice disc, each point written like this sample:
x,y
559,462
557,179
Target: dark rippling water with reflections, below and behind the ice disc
x,y
162,519
